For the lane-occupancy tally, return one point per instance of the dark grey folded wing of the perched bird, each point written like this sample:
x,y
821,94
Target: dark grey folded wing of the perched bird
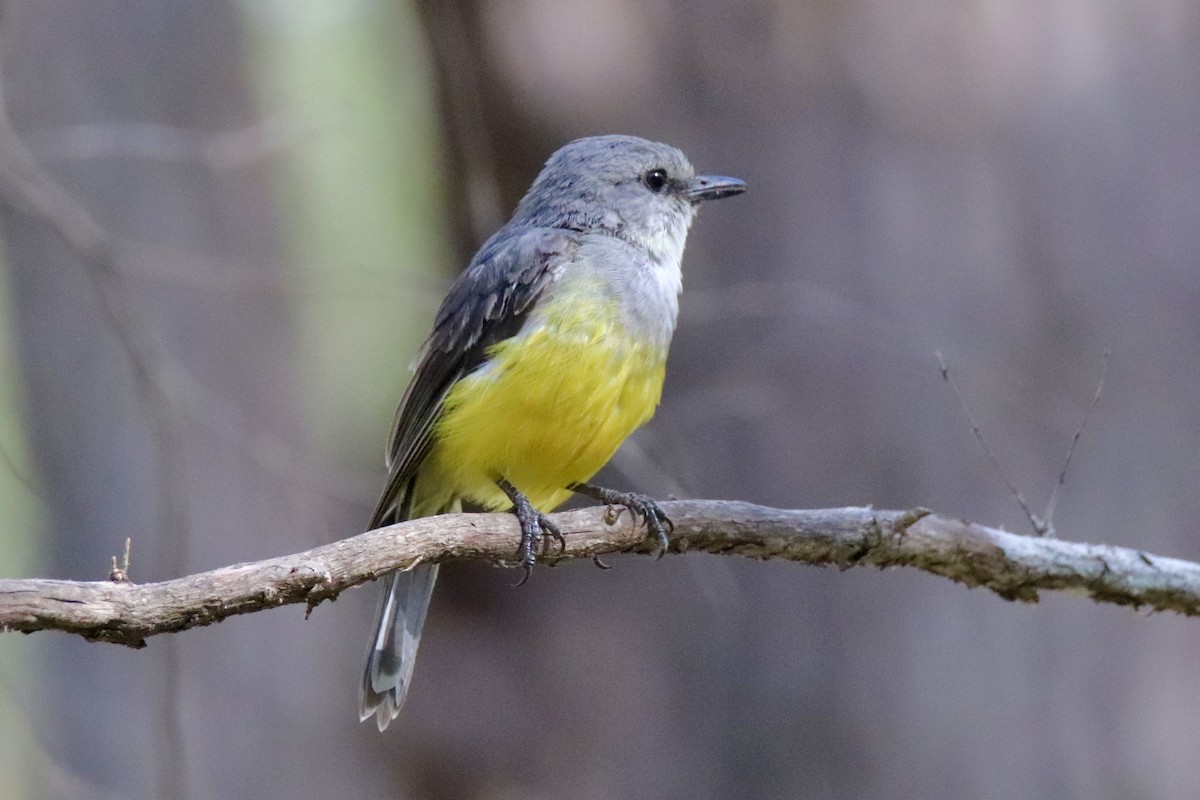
x,y
488,304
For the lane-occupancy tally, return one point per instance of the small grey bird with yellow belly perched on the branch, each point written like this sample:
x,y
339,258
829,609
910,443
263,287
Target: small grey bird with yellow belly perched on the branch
x,y
547,353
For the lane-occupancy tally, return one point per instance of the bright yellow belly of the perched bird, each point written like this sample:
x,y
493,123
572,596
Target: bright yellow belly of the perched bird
x,y
550,410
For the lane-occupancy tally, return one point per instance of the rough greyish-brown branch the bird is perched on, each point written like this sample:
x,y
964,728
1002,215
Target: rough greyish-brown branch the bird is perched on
x,y
1015,567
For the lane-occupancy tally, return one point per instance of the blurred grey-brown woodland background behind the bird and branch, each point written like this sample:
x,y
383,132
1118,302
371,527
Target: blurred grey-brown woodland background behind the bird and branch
x,y
226,228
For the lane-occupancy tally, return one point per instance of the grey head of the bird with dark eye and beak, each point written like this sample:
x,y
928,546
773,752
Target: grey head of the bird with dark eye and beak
x,y
644,193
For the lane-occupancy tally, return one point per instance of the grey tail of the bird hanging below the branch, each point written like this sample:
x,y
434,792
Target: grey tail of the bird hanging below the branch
x,y
389,669
